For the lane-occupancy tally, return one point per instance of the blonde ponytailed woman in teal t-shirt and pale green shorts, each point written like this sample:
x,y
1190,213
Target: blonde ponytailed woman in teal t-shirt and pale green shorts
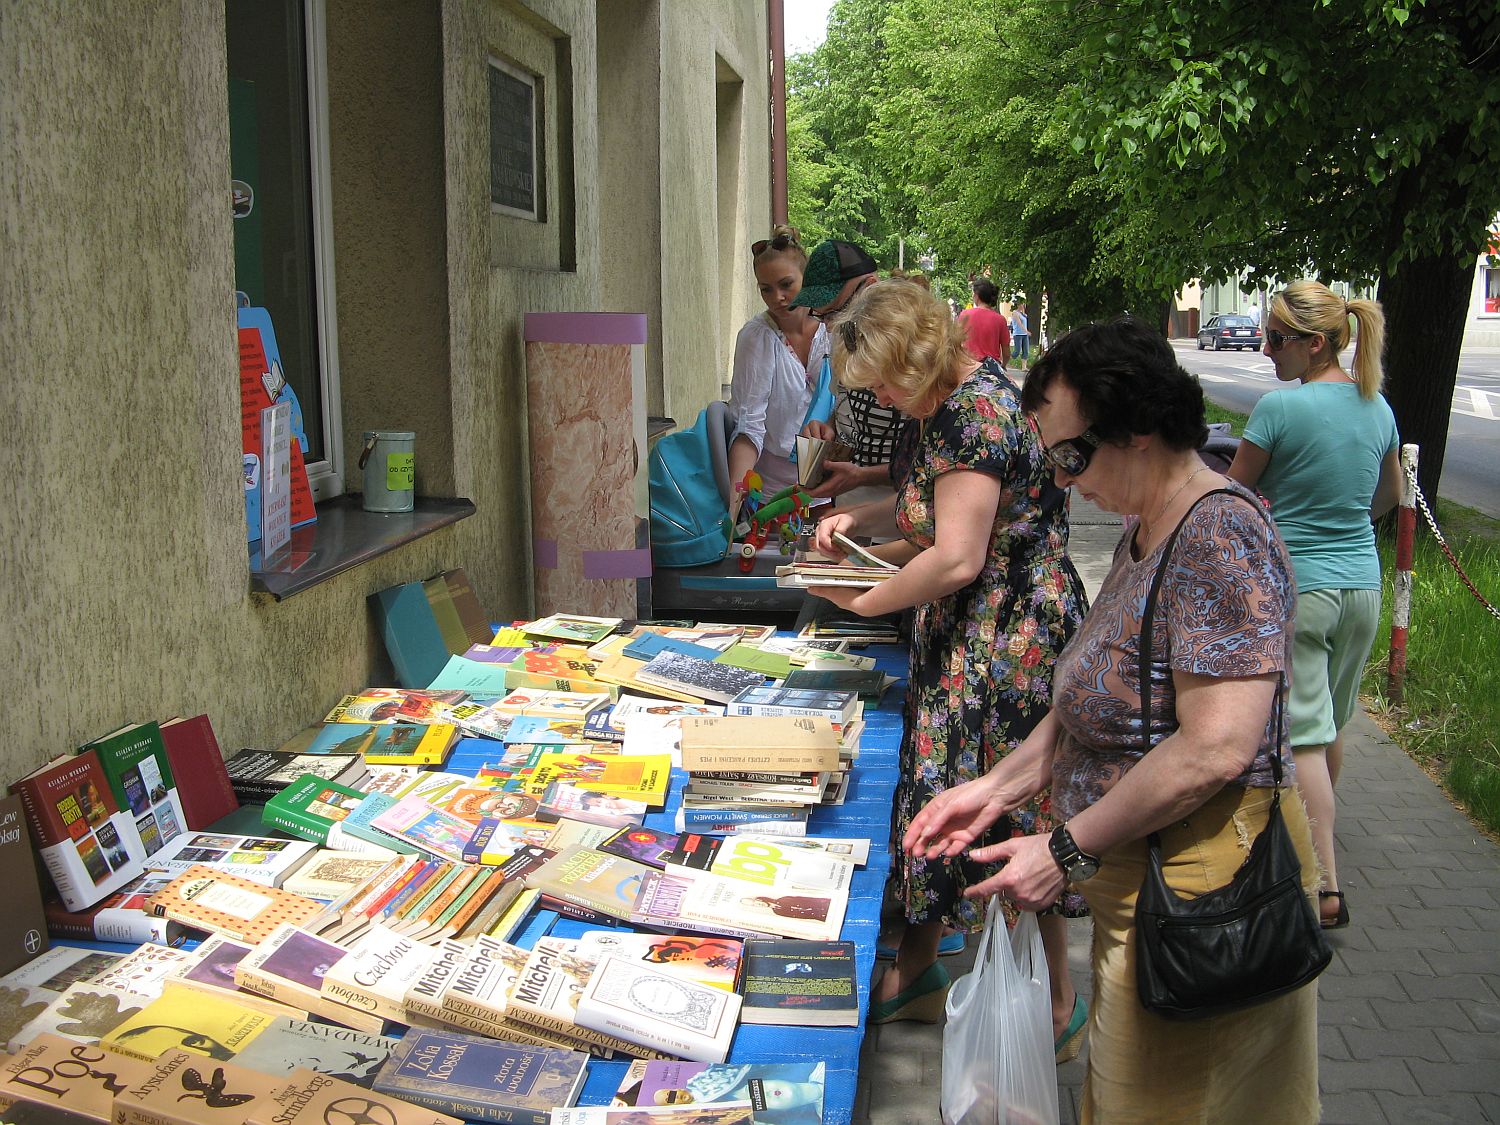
x,y
1325,455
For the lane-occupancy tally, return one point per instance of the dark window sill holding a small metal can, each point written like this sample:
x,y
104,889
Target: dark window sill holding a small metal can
x,y
344,538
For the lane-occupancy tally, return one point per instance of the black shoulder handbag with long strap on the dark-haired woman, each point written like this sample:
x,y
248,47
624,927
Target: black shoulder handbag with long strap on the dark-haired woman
x,y
1241,944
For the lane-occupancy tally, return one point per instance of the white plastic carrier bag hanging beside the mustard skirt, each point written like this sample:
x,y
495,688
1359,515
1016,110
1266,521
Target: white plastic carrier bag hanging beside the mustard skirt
x,y
998,1066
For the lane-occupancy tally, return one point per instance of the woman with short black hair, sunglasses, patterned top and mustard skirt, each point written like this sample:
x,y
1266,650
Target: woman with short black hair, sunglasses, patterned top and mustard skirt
x,y
1123,424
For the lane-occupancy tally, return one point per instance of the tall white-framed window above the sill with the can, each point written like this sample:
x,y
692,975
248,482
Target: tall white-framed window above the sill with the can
x,y
283,230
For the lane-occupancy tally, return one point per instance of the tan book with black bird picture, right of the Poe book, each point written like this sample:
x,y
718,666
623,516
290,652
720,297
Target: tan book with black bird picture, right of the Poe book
x,y
185,1090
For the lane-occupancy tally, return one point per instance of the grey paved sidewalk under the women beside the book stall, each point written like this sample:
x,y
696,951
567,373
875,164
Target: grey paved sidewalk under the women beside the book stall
x,y
1409,1016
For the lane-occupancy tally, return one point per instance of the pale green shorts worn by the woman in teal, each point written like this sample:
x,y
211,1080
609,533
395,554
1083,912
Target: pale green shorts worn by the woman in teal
x,y
1334,634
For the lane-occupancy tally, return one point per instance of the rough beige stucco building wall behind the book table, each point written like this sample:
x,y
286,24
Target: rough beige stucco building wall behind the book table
x,y
124,589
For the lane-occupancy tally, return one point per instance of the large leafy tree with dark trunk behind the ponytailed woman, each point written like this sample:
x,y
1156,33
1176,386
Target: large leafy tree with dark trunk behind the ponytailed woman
x,y
1342,139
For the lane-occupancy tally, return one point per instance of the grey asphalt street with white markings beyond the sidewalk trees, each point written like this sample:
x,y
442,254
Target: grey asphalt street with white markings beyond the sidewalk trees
x,y
1471,467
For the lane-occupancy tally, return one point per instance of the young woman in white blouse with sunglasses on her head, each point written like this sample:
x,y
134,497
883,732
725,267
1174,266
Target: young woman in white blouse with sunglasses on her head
x,y
779,358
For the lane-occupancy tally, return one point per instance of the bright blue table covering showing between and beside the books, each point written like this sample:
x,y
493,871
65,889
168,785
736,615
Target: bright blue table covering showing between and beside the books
x,y
866,814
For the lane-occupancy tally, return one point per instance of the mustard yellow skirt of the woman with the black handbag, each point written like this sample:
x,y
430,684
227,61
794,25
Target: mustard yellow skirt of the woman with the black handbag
x,y
1253,1066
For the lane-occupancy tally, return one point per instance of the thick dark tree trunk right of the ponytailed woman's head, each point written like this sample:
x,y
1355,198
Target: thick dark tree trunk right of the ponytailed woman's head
x,y
1427,305
